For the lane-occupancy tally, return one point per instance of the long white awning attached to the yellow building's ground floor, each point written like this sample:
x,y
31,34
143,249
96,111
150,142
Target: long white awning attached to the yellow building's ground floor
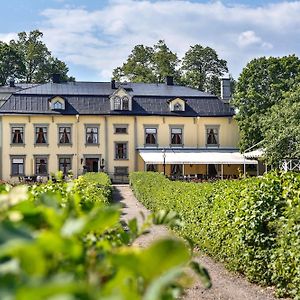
x,y
195,157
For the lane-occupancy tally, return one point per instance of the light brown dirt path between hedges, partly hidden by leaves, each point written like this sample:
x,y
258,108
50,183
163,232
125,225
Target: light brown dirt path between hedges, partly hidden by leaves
x,y
226,285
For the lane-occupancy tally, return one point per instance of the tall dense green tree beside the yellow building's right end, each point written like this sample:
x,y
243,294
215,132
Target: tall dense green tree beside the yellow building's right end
x,y
262,84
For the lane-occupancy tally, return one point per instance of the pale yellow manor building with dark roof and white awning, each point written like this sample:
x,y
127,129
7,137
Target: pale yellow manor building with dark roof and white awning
x,y
118,128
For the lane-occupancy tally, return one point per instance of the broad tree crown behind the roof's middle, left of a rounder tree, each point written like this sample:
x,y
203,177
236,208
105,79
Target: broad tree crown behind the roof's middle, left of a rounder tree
x,y
148,64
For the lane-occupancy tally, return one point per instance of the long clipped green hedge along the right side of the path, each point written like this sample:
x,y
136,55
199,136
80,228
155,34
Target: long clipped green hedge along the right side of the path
x,y
251,225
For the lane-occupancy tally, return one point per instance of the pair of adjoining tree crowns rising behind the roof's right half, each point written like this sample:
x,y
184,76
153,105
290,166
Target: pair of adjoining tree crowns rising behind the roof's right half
x,y
200,67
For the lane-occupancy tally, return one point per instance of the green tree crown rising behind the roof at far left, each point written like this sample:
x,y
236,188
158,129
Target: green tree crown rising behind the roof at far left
x,y
28,59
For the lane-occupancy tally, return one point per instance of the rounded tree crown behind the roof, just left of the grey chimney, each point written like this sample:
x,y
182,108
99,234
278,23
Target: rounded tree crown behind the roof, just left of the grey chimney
x,y
202,69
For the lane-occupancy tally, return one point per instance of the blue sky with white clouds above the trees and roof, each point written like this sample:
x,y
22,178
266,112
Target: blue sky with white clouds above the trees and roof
x,y
93,37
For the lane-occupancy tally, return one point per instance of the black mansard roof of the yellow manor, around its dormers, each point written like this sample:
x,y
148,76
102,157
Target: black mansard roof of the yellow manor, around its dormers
x,y
92,98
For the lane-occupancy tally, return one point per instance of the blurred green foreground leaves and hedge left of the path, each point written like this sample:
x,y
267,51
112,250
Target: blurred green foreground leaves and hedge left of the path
x,y
52,246
